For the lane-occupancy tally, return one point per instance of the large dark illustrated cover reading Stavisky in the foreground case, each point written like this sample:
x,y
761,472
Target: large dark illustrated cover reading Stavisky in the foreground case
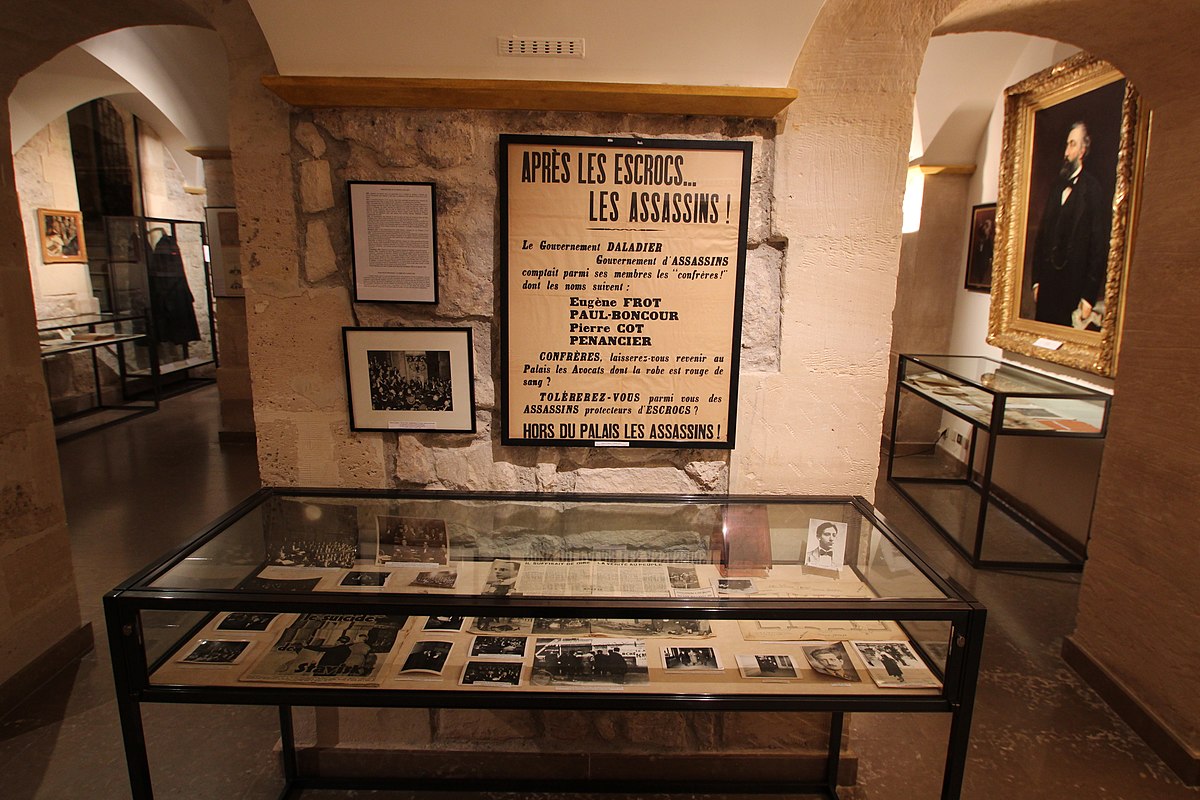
x,y
329,649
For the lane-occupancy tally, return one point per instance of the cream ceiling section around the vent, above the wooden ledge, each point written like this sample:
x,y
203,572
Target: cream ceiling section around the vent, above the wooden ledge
x,y
701,43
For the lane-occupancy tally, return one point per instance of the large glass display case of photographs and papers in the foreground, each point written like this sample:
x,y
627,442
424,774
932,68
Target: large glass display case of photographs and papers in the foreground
x,y
537,601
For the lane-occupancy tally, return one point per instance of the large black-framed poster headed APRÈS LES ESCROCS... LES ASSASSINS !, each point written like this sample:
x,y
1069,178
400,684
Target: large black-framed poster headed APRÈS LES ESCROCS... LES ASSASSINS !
x,y
623,276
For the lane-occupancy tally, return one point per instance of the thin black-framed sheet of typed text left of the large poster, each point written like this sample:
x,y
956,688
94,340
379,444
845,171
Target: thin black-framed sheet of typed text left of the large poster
x,y
395,242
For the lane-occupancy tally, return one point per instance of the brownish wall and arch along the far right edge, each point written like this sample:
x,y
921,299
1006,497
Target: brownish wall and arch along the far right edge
x,y
1138,617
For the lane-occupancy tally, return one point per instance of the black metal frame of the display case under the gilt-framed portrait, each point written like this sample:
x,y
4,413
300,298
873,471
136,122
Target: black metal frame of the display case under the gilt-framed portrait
x,y
981,483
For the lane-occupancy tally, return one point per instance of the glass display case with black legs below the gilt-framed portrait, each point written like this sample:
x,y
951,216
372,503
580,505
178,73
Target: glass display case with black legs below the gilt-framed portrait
x,y
997,400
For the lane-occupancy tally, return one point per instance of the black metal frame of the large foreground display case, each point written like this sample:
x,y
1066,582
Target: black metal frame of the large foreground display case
x,y
133,670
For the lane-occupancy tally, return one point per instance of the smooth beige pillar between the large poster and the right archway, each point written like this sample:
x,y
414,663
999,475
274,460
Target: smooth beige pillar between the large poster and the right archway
x,y
815,426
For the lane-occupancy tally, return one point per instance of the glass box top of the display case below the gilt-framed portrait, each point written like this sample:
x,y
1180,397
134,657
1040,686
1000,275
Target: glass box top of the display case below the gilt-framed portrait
x,y
976,388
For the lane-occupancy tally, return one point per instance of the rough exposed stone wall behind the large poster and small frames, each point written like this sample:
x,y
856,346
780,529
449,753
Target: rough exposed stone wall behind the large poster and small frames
x,y
458,151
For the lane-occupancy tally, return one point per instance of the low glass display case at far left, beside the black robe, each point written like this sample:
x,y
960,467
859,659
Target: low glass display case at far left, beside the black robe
x,y
103,336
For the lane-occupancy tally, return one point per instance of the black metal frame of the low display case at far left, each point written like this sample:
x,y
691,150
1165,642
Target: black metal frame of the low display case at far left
x,y
116,344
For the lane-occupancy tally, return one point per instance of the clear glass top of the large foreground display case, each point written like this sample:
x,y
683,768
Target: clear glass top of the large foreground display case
x,y
550,546
